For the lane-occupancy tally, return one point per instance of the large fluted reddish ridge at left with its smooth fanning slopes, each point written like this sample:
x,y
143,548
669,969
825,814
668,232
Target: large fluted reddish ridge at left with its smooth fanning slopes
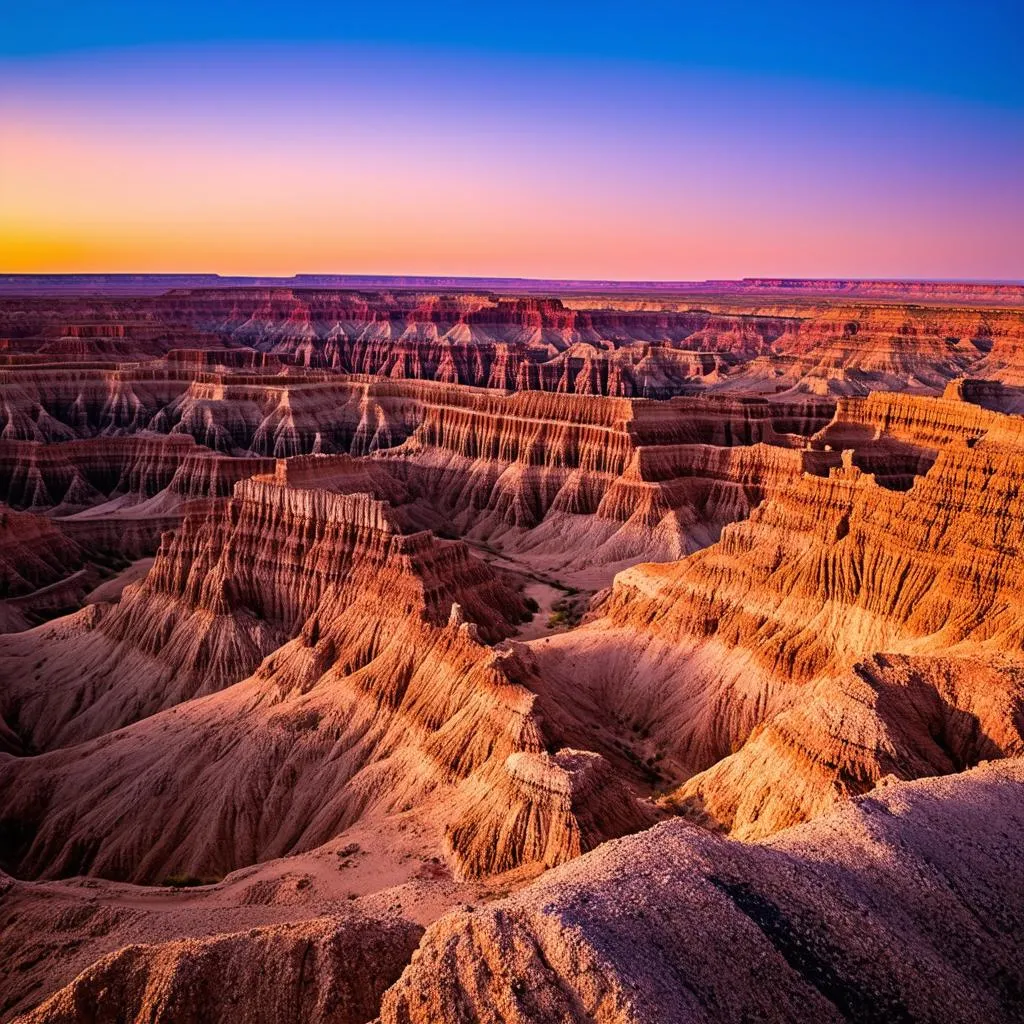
x,y
385,699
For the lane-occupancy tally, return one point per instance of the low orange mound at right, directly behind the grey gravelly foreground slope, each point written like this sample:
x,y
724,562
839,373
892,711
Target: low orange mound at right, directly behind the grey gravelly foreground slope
x,y
892,717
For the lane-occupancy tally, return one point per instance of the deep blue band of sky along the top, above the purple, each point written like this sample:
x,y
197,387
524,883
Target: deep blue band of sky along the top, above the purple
x,y
957,50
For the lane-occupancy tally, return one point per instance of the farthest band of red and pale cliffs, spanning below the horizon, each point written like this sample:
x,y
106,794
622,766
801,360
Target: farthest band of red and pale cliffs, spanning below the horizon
x,y
604,346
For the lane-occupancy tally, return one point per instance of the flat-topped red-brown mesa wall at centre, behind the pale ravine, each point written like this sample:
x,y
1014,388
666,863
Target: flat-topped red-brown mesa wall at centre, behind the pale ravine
x,y
623,480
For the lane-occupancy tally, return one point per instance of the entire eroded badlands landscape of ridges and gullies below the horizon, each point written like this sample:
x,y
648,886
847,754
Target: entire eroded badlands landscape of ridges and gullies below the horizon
x,y
422,657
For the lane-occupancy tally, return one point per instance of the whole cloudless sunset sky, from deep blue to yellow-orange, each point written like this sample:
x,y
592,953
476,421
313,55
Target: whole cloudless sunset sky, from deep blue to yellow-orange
x,y
587,141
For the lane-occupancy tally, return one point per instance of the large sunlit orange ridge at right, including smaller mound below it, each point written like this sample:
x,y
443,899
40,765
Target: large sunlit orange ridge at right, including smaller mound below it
x,y
742,644
